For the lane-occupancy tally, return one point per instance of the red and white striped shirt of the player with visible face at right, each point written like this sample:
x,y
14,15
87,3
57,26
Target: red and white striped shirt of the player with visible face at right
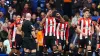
x,y
85,26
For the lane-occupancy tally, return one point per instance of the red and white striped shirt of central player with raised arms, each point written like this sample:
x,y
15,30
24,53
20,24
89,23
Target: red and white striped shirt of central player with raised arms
x,y
50,26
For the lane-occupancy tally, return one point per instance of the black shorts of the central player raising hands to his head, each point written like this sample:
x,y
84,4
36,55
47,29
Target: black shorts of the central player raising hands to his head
x,y
49,41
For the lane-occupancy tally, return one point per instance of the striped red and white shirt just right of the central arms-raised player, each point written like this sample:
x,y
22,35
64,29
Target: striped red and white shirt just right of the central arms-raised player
x,y
61,31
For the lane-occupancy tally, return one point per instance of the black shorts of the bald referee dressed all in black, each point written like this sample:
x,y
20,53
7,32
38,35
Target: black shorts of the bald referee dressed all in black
x,y
29,43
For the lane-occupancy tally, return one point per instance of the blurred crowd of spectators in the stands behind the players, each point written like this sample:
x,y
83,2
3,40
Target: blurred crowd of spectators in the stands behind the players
x,y
71,11
